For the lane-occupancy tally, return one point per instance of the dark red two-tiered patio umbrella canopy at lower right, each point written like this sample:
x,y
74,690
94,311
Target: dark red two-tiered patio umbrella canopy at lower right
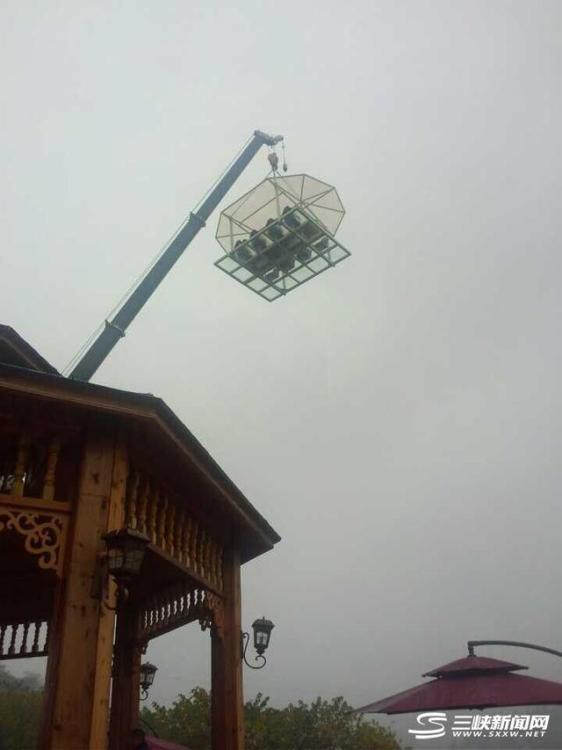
x,y
472,682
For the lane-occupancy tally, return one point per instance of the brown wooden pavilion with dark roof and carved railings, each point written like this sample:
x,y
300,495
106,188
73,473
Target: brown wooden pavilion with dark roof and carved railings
x,y
79,460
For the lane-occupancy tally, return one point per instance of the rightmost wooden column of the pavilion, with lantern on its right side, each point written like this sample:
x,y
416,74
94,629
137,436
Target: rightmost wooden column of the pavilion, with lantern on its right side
x,y
227,702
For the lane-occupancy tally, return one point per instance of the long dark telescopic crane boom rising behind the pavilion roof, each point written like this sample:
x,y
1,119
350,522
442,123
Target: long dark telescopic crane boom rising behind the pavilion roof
x,y
116,327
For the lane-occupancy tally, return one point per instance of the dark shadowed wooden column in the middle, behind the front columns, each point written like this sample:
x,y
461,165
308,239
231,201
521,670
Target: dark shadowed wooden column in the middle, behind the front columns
x,y
125,691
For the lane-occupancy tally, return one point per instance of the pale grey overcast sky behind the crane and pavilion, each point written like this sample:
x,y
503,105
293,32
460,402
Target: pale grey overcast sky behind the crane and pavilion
x,y
399,419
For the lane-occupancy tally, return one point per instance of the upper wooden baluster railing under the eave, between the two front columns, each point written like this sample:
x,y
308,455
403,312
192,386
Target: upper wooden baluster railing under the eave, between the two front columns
x,y
171,527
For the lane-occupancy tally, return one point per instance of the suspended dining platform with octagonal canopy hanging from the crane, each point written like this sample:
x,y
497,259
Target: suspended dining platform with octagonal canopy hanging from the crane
x,y
281,234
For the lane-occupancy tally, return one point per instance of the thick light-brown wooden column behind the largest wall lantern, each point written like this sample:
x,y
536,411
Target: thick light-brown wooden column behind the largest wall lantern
x,y
80,649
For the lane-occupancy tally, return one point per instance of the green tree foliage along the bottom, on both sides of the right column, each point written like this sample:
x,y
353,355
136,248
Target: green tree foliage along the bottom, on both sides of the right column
x,y
320,725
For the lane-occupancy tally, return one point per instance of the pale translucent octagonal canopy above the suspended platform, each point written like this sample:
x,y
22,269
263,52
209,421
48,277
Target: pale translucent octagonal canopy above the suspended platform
x,y
271,200
